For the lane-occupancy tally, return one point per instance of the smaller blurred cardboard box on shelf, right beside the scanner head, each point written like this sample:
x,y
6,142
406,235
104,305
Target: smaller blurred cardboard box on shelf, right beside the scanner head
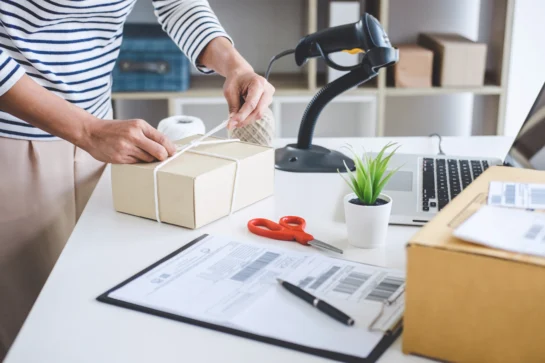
x,y
414,68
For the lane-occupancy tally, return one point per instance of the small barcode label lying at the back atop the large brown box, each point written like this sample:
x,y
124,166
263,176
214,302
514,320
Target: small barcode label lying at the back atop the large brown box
x,y
517,195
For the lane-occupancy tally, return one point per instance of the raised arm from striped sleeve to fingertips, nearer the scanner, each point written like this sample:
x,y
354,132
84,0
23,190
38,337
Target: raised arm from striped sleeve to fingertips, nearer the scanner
x,y
197,31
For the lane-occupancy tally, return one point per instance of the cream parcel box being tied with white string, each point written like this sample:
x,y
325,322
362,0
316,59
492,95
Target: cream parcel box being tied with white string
x,y
194,189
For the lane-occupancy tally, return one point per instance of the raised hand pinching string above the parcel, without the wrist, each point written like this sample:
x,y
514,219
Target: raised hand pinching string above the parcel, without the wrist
x,y
248,96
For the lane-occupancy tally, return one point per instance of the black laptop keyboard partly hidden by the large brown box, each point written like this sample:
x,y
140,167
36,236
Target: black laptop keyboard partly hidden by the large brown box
x,y
444,179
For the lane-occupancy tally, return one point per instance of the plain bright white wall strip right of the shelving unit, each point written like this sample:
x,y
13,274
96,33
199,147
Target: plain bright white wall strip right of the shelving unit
x,y
527,73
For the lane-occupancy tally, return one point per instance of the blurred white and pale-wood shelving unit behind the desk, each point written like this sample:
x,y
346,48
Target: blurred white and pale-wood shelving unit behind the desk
x,y
369,107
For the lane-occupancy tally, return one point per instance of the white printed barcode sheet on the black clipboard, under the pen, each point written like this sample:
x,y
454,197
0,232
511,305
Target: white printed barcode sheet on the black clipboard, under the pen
x,y
234,284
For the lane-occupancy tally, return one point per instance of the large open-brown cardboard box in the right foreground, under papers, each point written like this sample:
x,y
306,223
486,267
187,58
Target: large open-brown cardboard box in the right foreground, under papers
x,y
470,303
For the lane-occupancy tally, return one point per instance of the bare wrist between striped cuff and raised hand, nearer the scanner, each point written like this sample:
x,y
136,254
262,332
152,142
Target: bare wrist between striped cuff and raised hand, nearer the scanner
x,y
221,56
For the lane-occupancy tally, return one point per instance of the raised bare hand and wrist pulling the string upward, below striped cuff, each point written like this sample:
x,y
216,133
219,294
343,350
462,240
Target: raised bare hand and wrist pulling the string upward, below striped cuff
x,y
247,93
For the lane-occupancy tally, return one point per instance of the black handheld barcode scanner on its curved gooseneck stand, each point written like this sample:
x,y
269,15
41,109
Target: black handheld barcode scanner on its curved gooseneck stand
x,y
365,36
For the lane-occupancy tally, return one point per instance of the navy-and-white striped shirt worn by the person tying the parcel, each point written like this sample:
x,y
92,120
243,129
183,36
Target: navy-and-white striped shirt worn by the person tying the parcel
x,y
70,47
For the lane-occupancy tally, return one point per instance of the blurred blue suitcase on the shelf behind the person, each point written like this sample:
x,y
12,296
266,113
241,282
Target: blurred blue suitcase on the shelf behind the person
x,y
150,61
